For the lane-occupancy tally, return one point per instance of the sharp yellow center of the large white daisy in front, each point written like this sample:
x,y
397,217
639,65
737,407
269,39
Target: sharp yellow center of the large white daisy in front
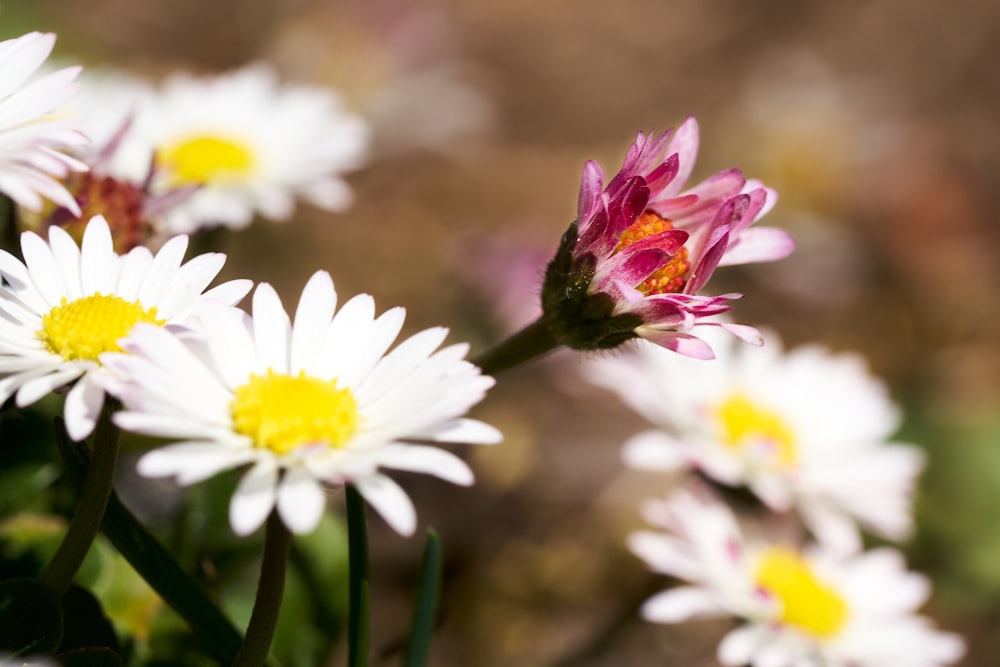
x,y
284,412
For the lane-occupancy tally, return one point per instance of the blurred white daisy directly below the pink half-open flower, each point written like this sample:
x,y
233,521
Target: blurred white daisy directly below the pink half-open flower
x,y
806,430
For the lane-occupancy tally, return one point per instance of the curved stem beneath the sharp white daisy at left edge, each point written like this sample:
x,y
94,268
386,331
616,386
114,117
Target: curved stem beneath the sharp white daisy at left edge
x,y
94,495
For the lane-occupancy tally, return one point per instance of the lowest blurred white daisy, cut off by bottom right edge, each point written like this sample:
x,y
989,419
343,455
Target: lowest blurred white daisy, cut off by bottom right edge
x,y
803,608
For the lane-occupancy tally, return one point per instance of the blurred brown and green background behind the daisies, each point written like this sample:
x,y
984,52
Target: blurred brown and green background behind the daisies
x,y
877,122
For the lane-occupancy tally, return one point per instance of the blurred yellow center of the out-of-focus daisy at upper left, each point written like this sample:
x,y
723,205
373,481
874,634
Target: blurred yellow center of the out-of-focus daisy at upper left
x,y
207,160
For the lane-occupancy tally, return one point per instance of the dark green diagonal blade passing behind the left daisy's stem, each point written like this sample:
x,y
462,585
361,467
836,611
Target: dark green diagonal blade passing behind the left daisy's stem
x,y
155,564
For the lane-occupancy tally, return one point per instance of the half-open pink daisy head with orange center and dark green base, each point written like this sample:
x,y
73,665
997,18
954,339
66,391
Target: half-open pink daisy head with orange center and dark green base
x,y
642,248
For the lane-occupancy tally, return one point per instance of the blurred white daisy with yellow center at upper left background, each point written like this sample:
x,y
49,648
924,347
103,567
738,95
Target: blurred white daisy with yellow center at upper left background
x,y
251,143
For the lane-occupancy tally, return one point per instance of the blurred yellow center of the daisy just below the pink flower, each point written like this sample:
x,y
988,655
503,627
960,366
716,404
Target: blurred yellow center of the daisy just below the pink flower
x,y
745,424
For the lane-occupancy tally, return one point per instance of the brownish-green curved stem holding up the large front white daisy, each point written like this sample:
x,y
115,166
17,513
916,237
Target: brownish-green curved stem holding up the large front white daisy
x,y
270,587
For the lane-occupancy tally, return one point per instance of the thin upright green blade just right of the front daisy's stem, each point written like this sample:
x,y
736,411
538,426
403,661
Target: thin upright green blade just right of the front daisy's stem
x,y
359,593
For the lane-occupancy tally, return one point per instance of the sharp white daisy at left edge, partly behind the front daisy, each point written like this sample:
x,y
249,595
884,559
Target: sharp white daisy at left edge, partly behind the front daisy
x,y
65,305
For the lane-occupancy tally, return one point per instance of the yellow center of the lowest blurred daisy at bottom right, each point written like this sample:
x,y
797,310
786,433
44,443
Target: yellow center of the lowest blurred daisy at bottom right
x,y
806,602
